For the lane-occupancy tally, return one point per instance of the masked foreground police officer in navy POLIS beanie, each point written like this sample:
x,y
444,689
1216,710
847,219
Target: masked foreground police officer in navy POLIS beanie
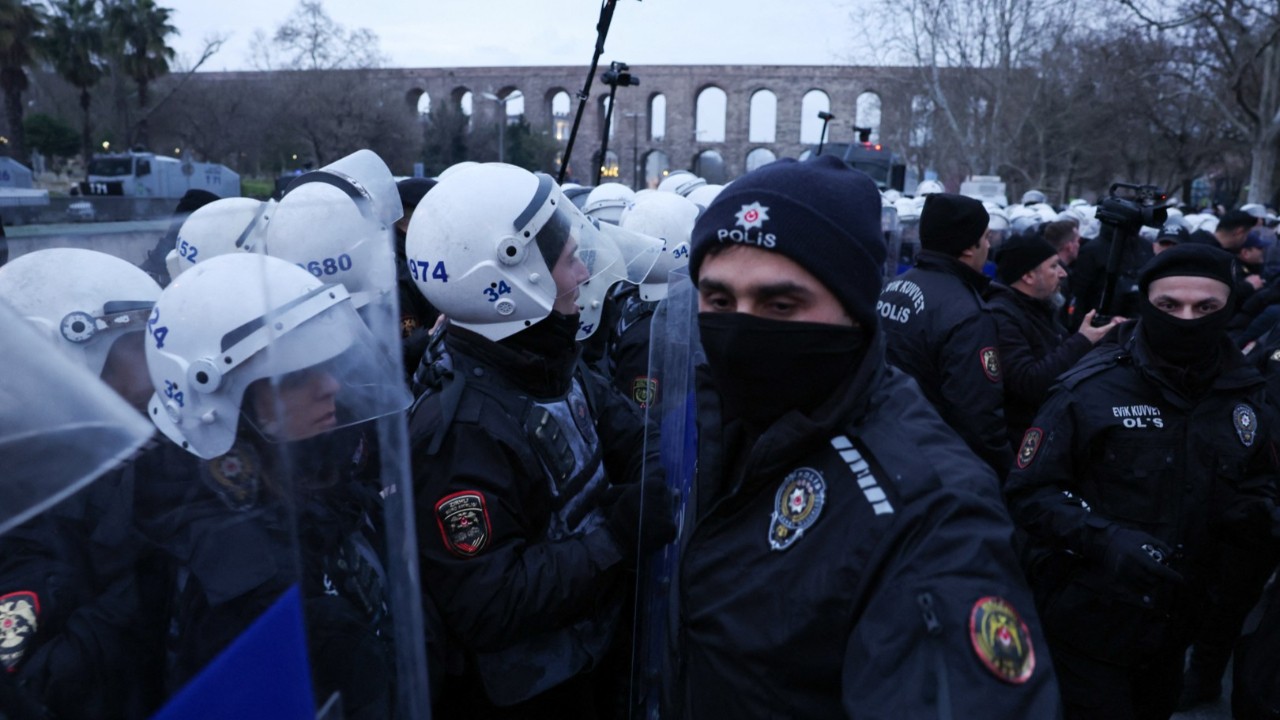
x,y
842,543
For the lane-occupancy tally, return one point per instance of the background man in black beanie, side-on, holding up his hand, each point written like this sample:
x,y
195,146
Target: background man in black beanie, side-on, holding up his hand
x,y
1035,348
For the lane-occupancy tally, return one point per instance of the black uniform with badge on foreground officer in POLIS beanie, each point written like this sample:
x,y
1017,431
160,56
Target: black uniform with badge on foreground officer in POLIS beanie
x,y
857,564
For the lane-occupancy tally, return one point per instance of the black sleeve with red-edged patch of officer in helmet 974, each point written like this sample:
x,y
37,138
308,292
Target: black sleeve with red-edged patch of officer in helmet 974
x,y
506,582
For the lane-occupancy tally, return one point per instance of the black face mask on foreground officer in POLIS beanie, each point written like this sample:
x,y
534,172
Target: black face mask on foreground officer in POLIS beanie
x,y
765,368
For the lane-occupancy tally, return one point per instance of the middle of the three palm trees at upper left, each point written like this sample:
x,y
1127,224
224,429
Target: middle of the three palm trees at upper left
x,y
76,42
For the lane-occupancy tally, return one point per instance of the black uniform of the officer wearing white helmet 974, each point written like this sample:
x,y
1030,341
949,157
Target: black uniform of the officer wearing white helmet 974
x,y
513,455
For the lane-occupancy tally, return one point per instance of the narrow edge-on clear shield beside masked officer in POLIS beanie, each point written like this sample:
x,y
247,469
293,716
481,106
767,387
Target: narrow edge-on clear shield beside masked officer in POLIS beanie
x,y
674,354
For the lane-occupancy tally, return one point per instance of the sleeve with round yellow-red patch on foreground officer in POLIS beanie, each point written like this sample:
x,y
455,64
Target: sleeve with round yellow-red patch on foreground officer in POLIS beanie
x,y
953,622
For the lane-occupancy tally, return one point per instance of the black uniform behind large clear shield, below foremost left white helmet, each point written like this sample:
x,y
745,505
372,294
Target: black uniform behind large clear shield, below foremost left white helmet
x,y
241,530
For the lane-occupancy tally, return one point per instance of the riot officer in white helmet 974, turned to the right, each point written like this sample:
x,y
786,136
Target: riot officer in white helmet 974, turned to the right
x,y
527,464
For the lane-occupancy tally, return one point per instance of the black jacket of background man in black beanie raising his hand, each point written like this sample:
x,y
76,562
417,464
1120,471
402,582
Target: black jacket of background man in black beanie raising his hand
x,y
1035,350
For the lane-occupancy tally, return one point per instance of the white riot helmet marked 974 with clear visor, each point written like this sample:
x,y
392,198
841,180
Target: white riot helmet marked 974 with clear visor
x,y
483,244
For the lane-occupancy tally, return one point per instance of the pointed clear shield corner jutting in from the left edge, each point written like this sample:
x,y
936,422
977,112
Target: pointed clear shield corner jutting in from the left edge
x,y
61,427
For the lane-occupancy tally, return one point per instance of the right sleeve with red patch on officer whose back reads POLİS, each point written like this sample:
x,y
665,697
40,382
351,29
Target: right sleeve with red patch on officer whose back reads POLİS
x,y
973,391
